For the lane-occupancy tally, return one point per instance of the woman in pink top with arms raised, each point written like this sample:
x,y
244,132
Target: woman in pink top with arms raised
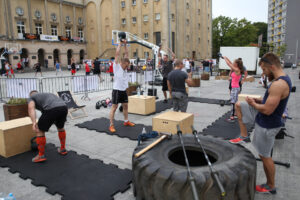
x,y
237,70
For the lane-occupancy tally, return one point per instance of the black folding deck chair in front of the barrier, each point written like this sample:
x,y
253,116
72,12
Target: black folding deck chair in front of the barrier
x,y
67,97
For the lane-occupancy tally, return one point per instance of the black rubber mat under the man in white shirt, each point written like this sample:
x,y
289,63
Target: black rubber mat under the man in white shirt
x,y
102,124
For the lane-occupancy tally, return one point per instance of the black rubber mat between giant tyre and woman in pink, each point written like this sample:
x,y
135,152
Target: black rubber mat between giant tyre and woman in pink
x,y
222,128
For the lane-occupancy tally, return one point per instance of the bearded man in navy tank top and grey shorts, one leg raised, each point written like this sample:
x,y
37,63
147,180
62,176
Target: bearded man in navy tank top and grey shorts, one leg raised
x,y
267,114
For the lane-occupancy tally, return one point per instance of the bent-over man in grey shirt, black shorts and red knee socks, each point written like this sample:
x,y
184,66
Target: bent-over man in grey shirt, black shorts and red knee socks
x,y
54,111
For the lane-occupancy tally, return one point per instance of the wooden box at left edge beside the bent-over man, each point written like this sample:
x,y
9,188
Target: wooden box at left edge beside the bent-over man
x,y
15,136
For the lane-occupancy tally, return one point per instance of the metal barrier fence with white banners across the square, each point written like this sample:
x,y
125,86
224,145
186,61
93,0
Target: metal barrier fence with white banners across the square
x,y
20,87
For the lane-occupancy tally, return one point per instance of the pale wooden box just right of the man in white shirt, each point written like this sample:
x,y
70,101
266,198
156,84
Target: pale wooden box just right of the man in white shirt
x,y
142,105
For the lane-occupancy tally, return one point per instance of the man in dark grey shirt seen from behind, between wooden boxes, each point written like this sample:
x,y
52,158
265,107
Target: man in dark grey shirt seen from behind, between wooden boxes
x,y
176,85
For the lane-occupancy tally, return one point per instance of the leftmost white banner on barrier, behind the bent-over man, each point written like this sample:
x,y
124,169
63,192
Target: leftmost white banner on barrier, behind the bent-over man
x,y
20,88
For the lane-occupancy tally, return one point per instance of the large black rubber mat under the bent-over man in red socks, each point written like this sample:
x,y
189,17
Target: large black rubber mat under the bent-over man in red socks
x,y
73,176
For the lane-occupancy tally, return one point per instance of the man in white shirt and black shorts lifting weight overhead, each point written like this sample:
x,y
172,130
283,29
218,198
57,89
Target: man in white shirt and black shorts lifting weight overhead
x,y
120,85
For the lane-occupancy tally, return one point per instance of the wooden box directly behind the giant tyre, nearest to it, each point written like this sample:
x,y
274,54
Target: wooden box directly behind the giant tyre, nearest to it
x,y
167,122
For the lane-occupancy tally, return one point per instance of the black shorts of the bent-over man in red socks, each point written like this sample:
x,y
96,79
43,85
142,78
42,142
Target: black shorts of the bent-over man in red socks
x,y
57,116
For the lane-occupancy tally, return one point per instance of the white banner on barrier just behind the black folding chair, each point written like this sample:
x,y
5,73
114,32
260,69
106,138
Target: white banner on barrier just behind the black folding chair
x,y
79,85
